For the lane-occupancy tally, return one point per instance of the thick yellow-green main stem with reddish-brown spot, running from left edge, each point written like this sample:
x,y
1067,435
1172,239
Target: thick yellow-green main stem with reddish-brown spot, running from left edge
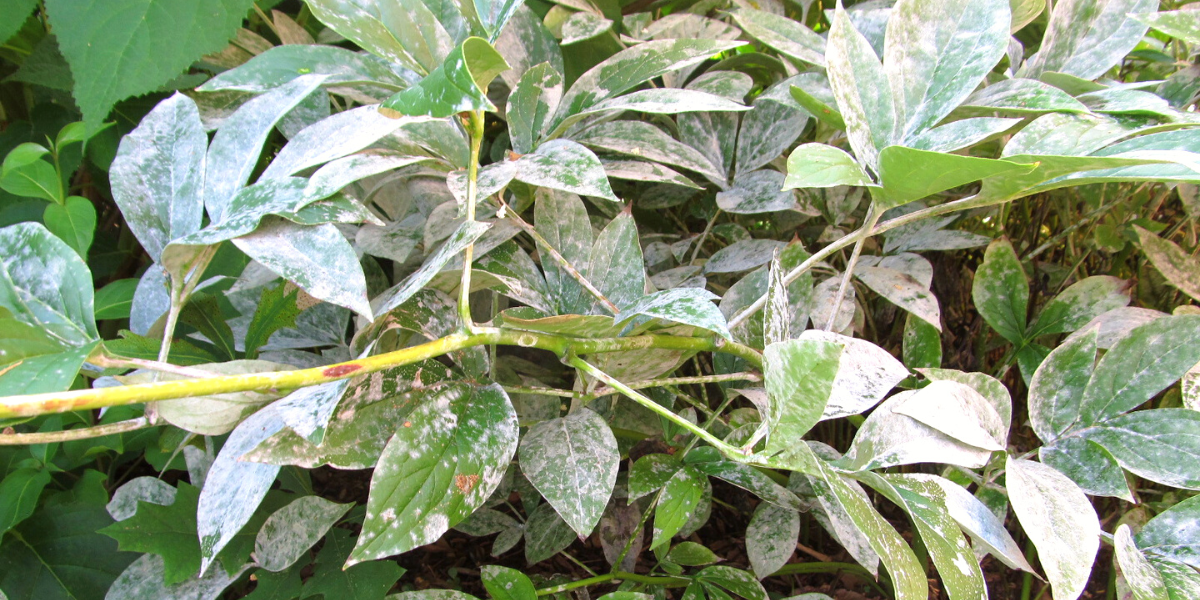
x,y
98,398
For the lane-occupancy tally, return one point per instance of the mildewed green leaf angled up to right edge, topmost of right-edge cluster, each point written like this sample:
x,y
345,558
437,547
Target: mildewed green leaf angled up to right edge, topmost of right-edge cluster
x,y
1141,365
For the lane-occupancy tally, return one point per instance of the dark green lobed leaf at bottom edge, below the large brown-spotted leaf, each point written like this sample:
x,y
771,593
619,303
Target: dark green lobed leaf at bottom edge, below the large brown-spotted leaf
x,y
332,579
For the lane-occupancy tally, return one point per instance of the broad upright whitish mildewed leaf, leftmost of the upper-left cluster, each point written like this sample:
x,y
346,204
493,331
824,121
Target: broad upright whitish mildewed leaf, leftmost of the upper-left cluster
x,y
158,177
